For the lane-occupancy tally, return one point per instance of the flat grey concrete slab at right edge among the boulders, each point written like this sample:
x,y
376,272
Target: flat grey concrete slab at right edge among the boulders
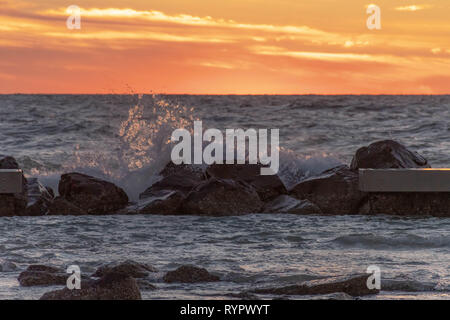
x,y
405,180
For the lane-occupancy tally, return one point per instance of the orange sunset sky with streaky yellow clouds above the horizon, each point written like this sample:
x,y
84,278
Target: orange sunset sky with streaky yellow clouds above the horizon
x,y
220,47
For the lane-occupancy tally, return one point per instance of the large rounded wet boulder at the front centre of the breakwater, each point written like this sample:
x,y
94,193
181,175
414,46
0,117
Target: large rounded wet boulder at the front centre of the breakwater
x,y
218,197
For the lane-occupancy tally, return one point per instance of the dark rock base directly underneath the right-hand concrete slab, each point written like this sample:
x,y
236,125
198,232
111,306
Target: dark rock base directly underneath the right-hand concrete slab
x,y
408,204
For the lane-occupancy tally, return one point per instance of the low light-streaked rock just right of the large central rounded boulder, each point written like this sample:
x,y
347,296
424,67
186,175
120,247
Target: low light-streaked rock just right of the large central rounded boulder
x,y
287,204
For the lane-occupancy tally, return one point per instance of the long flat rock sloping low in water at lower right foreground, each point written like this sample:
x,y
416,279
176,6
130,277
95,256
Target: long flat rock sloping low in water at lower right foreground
x,y
353,286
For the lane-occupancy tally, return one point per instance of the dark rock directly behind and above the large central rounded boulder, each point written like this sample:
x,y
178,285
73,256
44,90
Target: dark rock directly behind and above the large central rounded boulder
x,y
267,187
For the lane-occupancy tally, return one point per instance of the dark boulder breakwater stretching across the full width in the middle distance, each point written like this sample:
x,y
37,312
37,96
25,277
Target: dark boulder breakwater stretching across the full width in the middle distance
x,y
225,190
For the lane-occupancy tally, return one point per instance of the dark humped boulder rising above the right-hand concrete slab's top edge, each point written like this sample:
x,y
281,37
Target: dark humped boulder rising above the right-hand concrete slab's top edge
x,y
387,154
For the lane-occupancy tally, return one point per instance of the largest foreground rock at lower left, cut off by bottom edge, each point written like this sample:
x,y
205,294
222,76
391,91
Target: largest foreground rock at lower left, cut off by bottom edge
x,y
112,286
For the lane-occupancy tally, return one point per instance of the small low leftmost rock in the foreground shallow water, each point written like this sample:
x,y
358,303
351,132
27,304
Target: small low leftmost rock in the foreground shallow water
x,y
40,275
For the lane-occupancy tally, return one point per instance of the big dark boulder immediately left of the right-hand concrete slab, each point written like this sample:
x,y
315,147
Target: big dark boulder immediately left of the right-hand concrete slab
x,y
335,191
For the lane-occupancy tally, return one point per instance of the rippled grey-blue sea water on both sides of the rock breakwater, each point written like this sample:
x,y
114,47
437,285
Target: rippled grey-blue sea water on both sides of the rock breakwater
x,y
123,138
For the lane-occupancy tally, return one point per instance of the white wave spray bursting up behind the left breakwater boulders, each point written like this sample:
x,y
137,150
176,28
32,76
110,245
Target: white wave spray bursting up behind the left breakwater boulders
x,y
140,149
